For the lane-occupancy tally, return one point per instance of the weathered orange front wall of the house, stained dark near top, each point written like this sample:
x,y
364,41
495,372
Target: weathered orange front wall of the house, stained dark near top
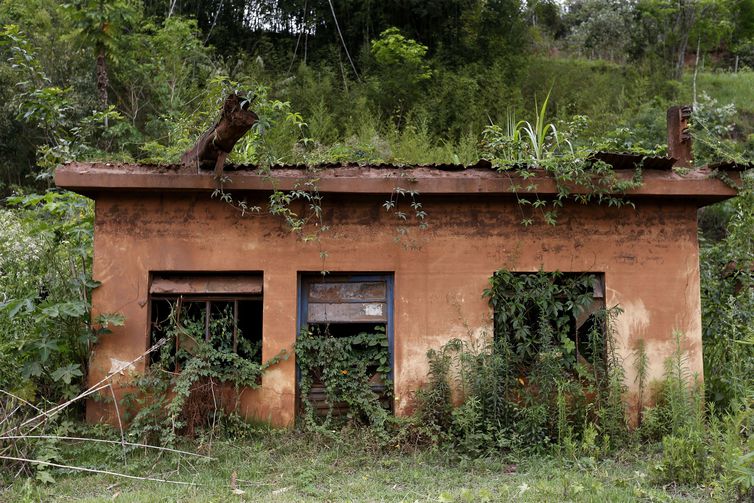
x,y
649,256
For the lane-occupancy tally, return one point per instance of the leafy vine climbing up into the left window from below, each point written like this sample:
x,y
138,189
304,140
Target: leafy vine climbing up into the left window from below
x,y
195,380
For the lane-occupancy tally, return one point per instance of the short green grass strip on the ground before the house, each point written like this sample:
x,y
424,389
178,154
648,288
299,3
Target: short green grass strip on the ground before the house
x,y
287,466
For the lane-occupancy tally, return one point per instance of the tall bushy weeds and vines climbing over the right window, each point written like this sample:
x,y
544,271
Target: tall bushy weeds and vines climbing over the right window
x,y
531,386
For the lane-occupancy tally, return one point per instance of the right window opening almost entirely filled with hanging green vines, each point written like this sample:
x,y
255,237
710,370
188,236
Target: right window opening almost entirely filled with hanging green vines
x,y
546,312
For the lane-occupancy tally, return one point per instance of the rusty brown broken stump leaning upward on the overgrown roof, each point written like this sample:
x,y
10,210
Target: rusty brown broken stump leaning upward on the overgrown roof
x,y
218,141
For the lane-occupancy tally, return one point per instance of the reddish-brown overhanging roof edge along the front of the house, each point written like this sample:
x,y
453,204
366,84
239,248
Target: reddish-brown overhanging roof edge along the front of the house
x,y
92,178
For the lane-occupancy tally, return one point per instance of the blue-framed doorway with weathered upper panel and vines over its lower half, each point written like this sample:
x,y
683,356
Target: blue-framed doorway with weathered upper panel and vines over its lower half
x,y
353,307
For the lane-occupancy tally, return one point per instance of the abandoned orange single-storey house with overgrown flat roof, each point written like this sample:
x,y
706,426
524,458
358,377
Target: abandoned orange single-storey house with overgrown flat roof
x,y
160,236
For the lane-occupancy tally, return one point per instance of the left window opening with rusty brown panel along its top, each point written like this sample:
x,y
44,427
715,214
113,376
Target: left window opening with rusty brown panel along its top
x,y
223,309
